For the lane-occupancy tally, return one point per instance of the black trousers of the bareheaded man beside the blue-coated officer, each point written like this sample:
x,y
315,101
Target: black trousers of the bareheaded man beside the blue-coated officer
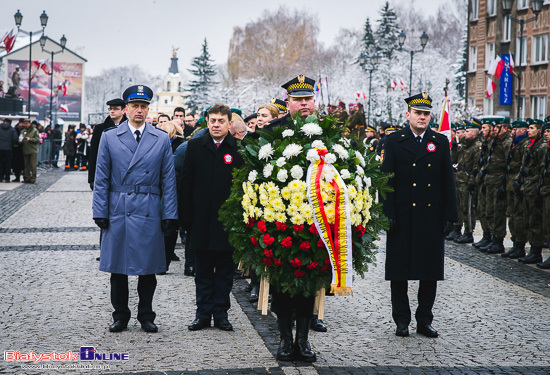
x,y
213,281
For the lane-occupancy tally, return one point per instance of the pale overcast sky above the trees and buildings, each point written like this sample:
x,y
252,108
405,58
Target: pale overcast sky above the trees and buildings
x,y
115,33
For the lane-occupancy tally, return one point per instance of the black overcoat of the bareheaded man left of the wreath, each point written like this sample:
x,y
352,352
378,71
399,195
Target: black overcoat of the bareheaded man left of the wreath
x,y
205,184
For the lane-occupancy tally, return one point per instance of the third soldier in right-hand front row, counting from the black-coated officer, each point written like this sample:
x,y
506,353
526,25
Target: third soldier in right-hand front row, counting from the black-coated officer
x,y
516,215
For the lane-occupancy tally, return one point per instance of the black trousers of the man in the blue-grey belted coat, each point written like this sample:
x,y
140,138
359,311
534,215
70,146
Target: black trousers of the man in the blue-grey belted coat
x,y
119,297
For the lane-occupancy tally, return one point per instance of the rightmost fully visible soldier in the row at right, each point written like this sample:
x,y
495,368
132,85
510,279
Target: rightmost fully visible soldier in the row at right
x,y
526,184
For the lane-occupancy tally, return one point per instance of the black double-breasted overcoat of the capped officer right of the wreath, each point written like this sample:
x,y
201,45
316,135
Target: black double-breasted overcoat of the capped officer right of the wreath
x,y
423,200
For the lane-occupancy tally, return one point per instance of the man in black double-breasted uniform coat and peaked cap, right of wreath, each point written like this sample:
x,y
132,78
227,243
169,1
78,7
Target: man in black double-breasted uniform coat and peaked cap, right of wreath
x,y
422,201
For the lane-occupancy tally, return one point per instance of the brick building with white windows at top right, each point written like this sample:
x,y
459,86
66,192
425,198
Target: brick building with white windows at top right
x,y
492,34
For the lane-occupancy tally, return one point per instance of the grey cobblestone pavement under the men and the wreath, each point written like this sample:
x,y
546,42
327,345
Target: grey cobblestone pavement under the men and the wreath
x,y
492,314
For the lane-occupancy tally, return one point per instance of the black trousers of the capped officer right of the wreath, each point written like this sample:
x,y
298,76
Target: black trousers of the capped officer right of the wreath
x,y
401,311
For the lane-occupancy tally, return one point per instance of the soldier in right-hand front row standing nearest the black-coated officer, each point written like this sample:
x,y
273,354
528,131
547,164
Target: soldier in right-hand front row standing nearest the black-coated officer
x,y
465,179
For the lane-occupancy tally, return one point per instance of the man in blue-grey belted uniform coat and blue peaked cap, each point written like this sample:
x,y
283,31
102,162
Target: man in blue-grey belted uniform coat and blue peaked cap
x,y
135,204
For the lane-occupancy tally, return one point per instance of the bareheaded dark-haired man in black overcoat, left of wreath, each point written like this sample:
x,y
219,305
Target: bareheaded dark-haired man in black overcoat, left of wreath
x,y
205,184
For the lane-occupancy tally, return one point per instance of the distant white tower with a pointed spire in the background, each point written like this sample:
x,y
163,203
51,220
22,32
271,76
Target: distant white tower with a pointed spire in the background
x,y
170,95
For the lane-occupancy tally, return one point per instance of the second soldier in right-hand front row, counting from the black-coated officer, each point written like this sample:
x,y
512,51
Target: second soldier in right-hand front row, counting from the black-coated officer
x,y
486,130
